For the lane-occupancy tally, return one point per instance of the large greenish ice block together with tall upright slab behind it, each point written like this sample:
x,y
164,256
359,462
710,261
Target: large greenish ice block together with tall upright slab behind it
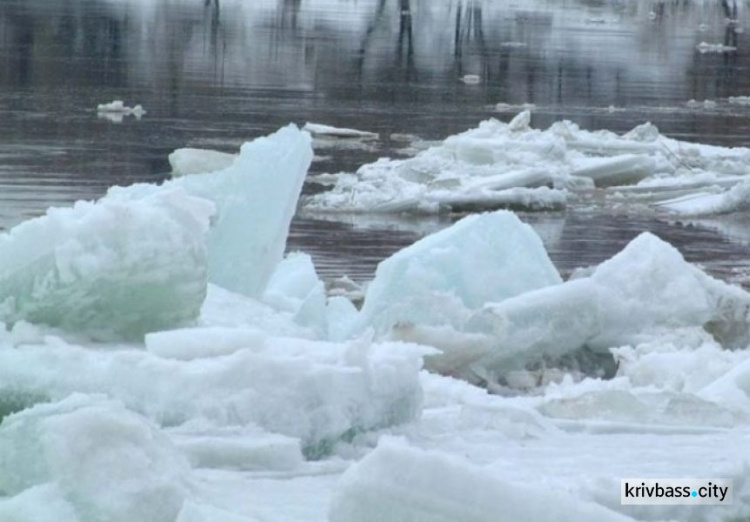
x,y
139,259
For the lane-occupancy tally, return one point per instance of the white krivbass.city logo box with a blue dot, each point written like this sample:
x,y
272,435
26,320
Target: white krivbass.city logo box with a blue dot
x,y
687,492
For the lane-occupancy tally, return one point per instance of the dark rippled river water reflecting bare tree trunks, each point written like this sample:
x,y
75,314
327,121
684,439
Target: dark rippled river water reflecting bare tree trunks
x,y
215,73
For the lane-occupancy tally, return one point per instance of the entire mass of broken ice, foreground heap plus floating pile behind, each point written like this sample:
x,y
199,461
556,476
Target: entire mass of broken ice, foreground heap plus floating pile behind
x,y
162,360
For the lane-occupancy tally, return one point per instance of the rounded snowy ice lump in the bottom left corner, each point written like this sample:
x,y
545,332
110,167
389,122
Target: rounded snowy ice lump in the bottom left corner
x,y
107,462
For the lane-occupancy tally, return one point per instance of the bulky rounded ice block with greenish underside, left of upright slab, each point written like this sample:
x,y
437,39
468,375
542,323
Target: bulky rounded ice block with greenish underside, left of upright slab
x,y
133,262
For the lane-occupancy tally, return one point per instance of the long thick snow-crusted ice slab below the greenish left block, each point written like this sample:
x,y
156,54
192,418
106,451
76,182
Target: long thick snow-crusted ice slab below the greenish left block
x,y
315,392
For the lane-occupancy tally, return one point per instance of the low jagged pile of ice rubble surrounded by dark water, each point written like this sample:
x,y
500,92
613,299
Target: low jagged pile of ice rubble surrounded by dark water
x,y
512,165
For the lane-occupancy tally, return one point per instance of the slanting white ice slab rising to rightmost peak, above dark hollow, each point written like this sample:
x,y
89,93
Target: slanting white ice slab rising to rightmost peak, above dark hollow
x,y
646,287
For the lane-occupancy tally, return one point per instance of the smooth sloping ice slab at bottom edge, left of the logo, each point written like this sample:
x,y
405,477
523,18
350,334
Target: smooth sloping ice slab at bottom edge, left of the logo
x,y
400,483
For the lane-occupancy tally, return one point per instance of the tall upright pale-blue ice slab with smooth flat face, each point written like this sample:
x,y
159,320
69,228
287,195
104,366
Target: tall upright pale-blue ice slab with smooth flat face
x,y
256,199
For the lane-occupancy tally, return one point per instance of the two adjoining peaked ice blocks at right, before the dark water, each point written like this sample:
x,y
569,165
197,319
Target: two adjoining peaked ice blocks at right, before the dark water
x,y
646,288
